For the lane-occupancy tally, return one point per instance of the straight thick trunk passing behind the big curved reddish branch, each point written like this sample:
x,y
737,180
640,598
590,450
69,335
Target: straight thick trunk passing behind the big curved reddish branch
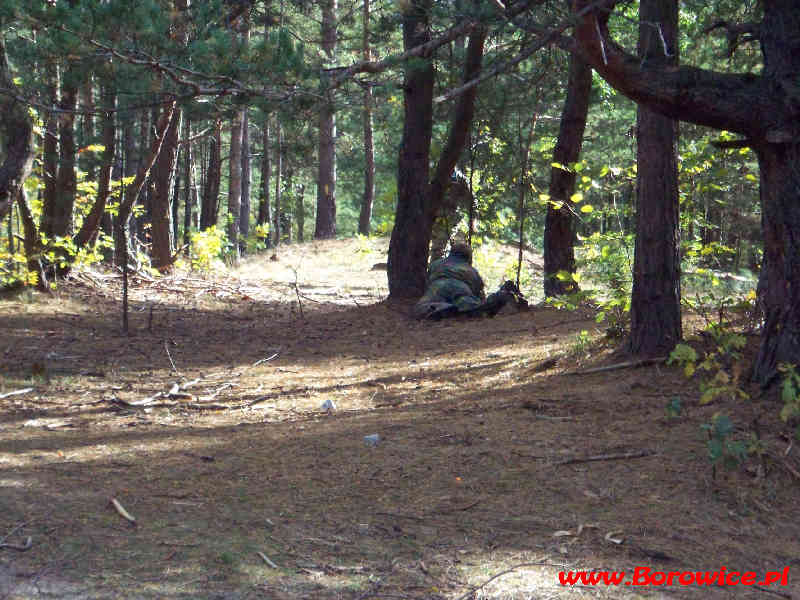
x,y
656,297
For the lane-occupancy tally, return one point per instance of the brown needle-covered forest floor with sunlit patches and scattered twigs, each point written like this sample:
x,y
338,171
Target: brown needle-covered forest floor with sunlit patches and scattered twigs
x,y
499,462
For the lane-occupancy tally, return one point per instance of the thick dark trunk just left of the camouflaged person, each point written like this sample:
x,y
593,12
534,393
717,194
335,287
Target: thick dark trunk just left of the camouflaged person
x,y
408,246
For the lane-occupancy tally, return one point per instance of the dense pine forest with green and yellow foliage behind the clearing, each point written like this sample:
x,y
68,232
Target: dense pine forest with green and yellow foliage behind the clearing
x,y
156,133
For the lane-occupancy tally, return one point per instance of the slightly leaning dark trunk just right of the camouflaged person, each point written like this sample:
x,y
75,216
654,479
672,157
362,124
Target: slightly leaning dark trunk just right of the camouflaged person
x,y
559,230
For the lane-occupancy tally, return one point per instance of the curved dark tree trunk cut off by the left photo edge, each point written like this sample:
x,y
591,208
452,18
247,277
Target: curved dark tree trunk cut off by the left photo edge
x,y
16,127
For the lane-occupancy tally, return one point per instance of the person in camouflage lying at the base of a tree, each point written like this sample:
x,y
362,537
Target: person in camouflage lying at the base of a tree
x,y
454,286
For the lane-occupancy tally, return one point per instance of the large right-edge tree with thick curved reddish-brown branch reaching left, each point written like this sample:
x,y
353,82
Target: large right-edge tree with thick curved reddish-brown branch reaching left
x,y
765,109
